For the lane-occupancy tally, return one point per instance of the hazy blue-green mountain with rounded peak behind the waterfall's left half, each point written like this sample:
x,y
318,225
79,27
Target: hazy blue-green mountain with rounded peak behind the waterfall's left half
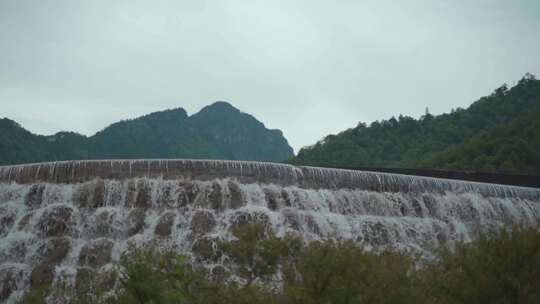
x,y
218,131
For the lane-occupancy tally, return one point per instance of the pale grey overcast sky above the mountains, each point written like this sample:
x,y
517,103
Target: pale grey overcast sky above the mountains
x,y
309,68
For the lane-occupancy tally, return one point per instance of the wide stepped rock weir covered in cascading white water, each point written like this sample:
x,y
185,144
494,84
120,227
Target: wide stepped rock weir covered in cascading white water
x,y
62,223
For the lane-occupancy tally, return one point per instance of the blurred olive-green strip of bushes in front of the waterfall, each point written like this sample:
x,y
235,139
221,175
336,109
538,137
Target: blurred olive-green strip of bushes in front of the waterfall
x,y
498,267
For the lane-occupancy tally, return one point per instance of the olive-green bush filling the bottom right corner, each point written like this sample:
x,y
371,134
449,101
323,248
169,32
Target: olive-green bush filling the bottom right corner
x,y
498,267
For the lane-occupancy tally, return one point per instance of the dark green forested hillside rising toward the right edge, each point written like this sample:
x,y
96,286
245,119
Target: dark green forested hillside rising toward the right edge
x,y
497,133
